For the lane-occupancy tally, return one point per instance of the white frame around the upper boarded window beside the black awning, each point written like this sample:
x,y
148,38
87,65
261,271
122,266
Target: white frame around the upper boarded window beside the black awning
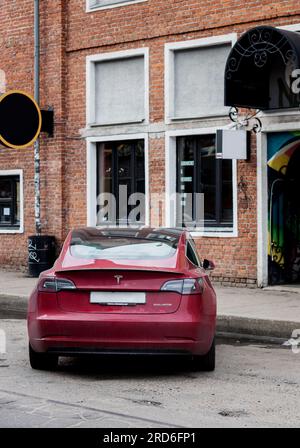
x,y
170,48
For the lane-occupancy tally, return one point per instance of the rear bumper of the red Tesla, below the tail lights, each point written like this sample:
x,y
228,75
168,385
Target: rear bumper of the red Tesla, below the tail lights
x,y
73,334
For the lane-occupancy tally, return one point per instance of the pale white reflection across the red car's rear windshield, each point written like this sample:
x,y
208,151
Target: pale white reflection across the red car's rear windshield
x,y
121,248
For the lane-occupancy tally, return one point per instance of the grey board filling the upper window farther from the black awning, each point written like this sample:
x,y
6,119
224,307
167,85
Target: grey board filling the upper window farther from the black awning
x,y
120,90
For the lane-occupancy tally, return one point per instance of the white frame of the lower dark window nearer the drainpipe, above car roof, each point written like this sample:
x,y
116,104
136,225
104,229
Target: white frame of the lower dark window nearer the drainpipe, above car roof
x,y
92,173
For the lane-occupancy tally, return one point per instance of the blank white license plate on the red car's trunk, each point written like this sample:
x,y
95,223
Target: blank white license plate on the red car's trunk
x,y
118,298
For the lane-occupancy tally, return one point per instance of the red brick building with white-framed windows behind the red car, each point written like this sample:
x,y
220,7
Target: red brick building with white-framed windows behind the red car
x,y
138,84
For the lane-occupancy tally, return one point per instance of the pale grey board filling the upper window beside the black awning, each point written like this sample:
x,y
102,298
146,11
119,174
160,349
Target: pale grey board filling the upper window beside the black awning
x,y
198,88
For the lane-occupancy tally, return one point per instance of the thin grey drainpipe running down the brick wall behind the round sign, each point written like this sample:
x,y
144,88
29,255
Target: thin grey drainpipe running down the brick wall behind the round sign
x,y
37,193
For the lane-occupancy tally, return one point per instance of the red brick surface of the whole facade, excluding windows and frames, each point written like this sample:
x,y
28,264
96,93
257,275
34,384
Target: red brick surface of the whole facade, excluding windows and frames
x,y
68,35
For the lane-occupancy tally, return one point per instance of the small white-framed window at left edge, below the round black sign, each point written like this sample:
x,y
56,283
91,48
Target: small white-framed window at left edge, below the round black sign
x,y
11,201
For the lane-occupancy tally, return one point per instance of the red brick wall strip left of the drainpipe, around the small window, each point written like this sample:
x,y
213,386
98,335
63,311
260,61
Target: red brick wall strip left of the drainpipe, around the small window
x,y
16,46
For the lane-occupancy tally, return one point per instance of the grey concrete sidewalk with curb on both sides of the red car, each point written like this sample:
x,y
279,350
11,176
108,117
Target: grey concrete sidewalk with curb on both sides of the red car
x,y
268,314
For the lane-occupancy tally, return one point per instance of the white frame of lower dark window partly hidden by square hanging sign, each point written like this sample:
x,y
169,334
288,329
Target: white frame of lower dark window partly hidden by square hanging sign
x,y
170,184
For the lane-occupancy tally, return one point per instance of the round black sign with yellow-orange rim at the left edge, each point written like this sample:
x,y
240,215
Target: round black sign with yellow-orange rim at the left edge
x,y
20,120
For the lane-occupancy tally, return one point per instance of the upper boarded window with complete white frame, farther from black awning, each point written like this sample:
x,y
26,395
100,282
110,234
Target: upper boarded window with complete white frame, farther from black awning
x,y
118,88
